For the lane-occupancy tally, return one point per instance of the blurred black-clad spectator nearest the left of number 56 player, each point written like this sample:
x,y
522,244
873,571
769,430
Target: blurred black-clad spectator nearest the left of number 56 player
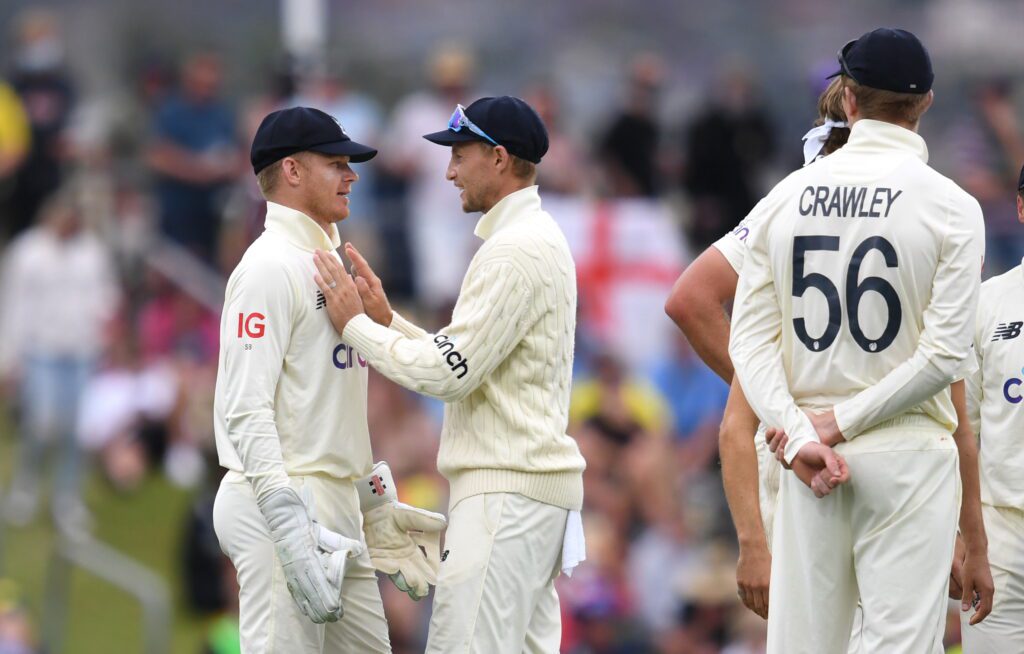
x,y
728,146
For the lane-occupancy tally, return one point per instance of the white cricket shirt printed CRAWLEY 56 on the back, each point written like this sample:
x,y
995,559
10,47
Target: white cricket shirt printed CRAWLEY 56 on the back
x,y
860,289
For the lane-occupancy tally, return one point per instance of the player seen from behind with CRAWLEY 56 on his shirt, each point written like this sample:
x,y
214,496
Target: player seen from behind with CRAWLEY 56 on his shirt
x,y
857,304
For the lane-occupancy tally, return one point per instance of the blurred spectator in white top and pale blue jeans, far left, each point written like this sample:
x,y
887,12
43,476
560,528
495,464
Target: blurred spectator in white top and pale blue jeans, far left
x,y
59,294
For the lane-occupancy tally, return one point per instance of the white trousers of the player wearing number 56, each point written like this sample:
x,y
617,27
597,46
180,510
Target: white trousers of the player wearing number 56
x,y
886,538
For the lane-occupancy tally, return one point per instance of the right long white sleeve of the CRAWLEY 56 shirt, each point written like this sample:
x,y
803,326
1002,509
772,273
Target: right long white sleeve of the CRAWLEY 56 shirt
x,y
949,324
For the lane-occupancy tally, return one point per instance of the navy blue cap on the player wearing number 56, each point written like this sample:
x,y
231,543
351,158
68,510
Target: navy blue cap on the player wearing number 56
x,y
888,60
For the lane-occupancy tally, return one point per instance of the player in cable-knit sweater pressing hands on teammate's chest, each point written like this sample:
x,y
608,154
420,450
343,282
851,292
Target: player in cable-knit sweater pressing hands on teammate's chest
x,y
504,369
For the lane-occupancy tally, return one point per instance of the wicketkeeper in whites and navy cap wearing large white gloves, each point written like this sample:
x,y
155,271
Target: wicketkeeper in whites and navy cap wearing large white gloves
x,y
291,420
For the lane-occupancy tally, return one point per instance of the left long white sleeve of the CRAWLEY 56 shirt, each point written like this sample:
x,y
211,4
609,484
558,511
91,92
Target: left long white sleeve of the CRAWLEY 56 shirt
x,y
756,353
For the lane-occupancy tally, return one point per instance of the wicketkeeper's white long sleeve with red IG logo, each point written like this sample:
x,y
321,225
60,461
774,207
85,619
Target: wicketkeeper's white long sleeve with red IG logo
x,y
255,335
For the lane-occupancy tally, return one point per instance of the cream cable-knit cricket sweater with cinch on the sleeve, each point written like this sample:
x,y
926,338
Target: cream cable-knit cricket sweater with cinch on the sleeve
x,y
504,366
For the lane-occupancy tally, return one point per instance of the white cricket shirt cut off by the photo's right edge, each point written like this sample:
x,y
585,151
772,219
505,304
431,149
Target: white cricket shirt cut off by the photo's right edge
x,y
996,391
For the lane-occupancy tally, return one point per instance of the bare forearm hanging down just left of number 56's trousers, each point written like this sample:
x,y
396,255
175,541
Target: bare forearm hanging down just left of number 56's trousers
x,y
740,469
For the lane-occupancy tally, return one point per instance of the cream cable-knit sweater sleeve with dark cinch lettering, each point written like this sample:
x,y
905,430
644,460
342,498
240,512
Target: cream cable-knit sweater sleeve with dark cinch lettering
x,y
493,314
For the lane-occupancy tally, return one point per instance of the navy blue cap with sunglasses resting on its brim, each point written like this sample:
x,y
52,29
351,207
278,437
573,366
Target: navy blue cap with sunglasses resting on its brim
x,y
507,121
